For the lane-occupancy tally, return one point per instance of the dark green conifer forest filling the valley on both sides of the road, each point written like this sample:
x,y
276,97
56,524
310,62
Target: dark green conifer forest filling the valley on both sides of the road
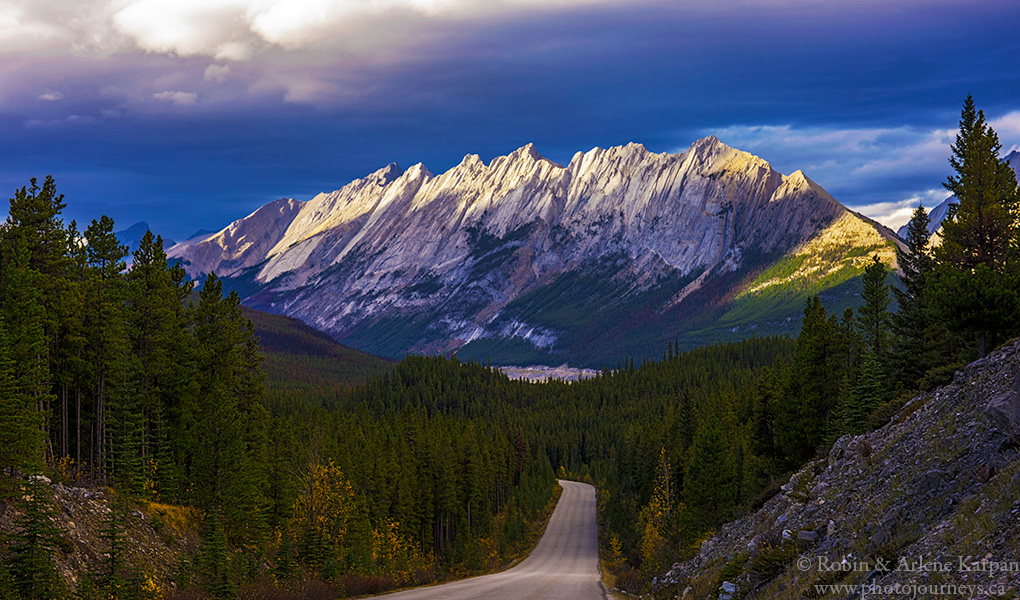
x,y
136,380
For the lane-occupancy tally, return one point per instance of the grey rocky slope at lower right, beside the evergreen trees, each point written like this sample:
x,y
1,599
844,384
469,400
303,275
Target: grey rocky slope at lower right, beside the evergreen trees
x,y
931,501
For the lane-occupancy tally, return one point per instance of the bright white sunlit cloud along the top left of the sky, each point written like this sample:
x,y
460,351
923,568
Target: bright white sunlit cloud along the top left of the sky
x,y
233,30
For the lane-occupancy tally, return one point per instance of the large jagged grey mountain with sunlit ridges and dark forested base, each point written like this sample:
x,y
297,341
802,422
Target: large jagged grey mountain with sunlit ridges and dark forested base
x,y
525,261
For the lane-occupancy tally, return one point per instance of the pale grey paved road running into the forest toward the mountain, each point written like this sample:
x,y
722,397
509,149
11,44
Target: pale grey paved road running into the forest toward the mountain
x,y
563,567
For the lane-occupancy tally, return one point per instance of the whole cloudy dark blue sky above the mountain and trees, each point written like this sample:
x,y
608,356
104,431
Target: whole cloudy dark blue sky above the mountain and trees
x,y
191,114
